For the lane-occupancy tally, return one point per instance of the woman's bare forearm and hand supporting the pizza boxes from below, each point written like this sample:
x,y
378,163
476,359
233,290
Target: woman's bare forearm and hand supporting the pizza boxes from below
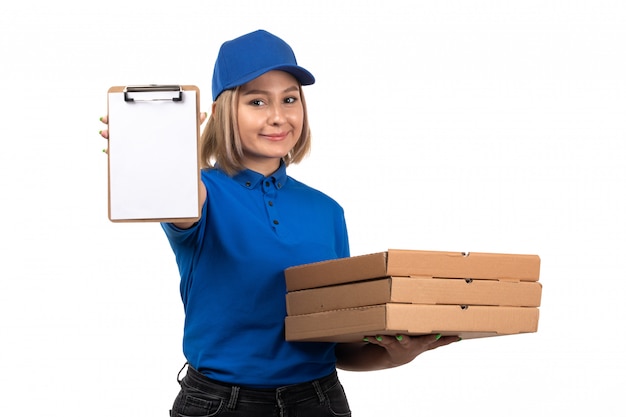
x,y
382,352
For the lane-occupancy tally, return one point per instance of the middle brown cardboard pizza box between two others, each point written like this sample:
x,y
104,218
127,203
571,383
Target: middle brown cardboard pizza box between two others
x,y
415,291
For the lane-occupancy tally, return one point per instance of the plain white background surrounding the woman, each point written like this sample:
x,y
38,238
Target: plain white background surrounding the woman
x,y
486,126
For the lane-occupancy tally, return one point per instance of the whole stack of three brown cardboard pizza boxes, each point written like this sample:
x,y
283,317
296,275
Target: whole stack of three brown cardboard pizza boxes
x,y
413,292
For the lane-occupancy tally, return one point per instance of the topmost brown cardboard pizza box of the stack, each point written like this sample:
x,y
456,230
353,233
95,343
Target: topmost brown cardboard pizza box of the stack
x,y
396,262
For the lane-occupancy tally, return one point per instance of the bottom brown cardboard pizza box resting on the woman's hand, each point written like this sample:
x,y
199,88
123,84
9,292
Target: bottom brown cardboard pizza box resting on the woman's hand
x,y
351,325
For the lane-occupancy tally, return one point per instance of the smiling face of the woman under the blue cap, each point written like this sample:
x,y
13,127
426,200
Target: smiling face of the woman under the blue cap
x,y
270,116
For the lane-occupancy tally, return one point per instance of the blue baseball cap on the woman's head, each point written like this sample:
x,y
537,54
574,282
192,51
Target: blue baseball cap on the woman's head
x,y
244,58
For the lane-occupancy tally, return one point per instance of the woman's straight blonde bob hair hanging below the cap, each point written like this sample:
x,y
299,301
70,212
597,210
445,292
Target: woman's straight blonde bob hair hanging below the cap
x,y
220,143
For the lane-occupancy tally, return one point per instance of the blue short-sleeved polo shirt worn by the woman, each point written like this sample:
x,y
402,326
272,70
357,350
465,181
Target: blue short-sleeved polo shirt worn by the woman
x,y
232,285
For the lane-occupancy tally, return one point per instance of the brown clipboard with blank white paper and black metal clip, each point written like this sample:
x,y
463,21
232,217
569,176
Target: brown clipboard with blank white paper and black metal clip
x,y
153,155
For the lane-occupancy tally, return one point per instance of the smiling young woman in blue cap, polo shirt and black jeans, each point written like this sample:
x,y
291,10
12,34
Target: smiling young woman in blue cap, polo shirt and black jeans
x,y
256,221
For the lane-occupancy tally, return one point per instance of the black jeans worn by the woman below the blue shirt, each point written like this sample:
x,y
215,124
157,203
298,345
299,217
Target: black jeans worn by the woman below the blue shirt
x,y
200,396
